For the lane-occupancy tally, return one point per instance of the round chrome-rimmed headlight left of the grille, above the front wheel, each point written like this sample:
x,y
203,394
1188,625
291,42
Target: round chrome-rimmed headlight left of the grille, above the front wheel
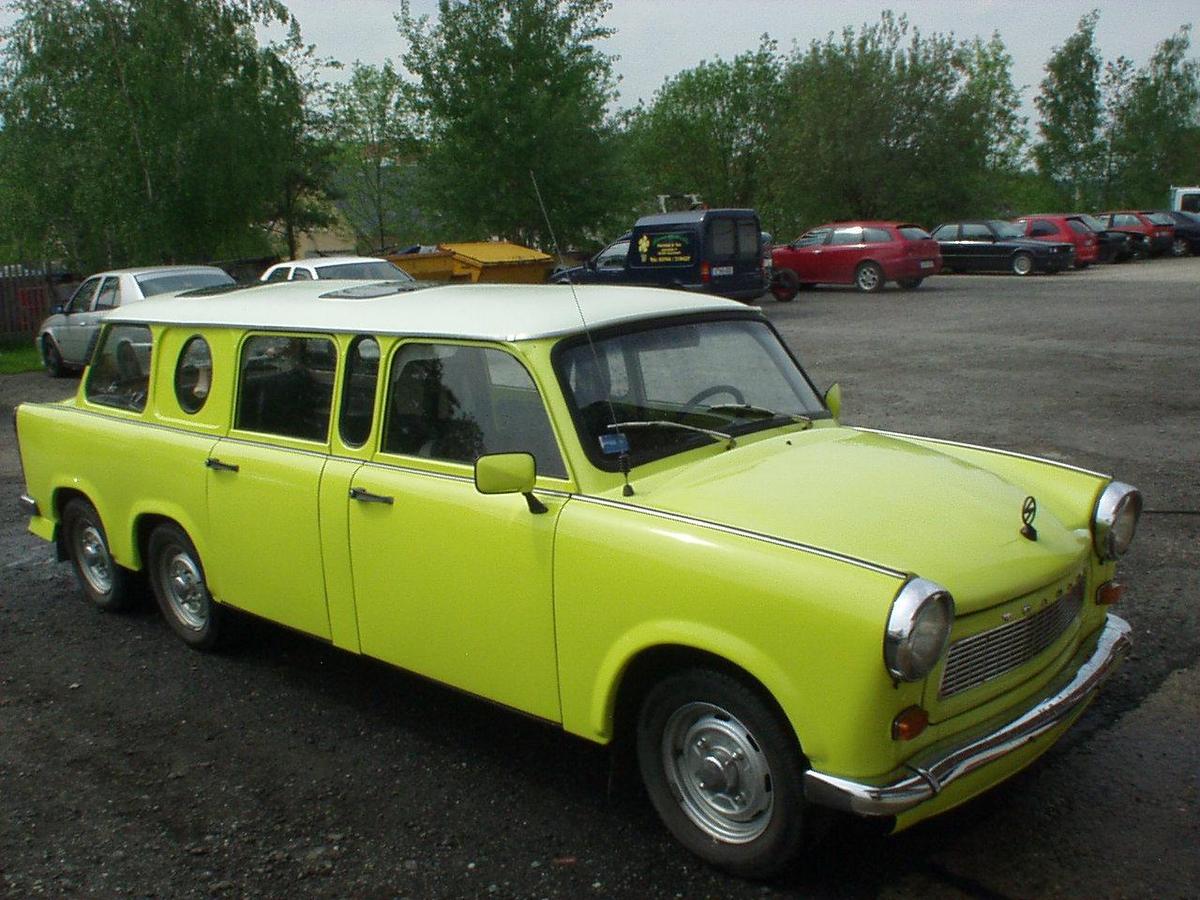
x,y
919,628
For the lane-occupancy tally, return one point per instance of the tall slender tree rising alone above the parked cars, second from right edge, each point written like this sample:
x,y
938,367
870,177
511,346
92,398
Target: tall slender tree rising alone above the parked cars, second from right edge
x,y
1070,105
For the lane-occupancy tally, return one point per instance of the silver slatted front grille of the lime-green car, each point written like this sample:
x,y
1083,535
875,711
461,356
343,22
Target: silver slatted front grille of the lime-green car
x,y
991,655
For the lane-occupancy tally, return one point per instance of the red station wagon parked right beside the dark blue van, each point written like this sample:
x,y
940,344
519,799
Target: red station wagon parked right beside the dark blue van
x,y
867,255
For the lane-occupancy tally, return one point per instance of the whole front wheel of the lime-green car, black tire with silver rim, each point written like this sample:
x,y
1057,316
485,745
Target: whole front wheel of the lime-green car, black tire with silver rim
x,y
751,818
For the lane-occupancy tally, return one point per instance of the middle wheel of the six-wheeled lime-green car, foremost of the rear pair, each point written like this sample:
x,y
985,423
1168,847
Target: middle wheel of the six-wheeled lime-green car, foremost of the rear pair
x,y
177,577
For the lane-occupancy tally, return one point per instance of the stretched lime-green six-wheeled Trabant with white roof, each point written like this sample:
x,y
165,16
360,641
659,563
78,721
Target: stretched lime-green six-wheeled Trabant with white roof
x,y
627,512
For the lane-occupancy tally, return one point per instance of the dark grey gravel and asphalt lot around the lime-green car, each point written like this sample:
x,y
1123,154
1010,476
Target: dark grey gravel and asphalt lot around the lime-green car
x,y
131,766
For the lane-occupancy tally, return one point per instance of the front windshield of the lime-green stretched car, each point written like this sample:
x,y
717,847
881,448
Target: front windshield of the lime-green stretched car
x,y
728,376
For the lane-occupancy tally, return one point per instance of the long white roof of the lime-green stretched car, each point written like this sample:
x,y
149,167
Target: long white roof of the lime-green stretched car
x,y
489,313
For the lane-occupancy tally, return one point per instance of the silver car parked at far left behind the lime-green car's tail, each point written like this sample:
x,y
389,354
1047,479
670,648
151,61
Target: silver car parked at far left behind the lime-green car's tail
x,y
64,340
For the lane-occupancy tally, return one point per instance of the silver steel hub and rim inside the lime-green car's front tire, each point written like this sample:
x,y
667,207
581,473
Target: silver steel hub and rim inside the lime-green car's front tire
x,y
719,776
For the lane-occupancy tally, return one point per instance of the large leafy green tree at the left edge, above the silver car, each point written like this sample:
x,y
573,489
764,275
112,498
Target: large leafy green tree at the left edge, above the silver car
x,y
143,131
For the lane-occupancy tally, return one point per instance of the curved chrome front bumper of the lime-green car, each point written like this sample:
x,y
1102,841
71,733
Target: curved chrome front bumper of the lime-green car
x,y
943,766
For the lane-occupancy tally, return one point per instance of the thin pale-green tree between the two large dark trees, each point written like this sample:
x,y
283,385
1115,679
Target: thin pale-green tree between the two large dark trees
x,y
373,121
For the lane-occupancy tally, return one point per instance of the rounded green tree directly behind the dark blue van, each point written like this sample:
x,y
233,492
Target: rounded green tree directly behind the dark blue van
x,y
709,129
